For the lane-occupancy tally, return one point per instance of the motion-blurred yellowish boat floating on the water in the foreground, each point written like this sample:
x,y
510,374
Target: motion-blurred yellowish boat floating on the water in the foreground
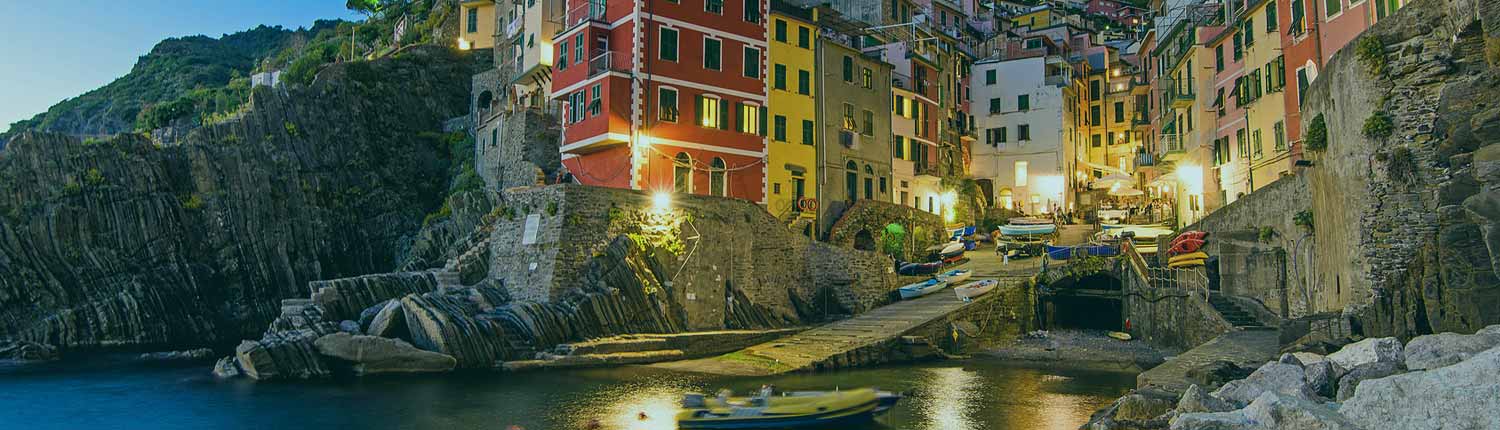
x,y
800,410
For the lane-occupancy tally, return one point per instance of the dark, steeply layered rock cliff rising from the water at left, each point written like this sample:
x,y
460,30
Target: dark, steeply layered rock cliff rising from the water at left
x,y
125,243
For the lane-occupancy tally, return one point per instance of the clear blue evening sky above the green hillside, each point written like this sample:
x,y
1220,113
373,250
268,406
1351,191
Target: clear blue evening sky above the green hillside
x,y
56,50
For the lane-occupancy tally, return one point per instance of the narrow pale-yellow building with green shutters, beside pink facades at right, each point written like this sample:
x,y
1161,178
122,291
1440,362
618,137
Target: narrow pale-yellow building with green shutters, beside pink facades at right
x,y
1261,92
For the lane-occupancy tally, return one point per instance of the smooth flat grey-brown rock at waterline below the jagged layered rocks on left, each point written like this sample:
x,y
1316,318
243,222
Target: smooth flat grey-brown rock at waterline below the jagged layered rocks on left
x,y
374,354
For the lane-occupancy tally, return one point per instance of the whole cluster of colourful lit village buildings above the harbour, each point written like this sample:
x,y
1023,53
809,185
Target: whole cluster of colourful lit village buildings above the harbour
x,y
1165,109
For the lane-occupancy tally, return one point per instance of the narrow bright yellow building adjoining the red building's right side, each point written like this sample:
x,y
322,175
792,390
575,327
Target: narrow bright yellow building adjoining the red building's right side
x,y
791,155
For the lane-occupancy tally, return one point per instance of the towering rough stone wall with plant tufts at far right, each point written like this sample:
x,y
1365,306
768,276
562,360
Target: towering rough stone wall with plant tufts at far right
x,y
1405,222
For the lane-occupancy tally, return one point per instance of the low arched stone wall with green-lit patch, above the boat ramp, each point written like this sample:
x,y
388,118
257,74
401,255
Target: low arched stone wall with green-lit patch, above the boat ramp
x,y
869,216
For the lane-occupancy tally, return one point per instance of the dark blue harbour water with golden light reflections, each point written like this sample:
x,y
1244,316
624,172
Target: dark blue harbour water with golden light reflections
x,y
130,395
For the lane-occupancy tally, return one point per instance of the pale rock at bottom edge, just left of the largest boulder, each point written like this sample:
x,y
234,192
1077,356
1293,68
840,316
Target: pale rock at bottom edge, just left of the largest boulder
x,y
1270,411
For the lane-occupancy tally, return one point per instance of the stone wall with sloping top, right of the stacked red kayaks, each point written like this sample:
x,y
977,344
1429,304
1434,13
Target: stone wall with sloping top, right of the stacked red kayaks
x,y
1264,255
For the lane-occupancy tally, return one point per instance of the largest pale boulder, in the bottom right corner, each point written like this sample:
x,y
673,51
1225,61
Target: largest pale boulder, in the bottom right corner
x,y
1460,396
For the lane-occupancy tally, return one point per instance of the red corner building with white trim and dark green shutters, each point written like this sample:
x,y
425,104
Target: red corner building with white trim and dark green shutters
x,y
665,95
